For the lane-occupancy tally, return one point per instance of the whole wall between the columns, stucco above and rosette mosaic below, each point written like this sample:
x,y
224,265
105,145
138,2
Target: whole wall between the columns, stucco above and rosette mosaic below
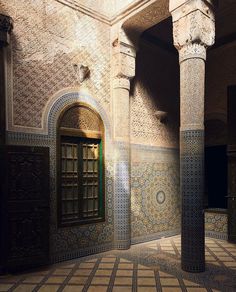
x,y
155,200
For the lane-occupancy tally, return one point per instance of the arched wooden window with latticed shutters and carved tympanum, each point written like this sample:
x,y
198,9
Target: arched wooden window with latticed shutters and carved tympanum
x,y
80,166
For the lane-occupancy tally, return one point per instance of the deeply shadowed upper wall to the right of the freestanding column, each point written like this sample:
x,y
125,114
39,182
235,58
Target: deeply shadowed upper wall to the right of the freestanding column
x,y
220,73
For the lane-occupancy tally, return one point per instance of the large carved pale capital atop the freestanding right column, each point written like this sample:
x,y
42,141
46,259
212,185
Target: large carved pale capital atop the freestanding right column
x,y
193,26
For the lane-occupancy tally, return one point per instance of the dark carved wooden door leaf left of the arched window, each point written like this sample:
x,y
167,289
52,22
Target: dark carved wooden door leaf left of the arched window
x,y
27,186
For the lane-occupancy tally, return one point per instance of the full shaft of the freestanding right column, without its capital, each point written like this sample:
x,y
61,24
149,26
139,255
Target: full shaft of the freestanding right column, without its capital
x,y
192,75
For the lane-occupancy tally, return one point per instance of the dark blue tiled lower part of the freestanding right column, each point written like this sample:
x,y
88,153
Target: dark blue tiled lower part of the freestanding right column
x,y
192,190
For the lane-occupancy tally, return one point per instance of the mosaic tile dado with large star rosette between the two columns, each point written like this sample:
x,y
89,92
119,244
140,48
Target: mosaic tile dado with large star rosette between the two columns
x,y
148,214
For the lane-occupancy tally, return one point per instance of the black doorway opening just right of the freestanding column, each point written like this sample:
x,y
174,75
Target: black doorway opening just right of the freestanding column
x,y
216,176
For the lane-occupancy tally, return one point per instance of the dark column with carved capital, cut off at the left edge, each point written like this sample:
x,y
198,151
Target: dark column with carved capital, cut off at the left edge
x,y
6,26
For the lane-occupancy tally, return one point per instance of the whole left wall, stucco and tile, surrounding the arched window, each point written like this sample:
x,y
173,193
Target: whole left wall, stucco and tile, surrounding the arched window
x,y
48,39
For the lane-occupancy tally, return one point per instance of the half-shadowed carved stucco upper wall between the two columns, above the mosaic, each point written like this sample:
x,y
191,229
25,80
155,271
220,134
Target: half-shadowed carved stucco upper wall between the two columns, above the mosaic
x,y
155,88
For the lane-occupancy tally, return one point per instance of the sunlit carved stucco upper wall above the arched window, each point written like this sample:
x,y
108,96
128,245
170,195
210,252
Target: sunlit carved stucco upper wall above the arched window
x,y
48,39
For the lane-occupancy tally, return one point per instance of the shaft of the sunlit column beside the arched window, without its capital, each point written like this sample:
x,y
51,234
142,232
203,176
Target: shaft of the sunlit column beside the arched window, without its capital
x,y
121,115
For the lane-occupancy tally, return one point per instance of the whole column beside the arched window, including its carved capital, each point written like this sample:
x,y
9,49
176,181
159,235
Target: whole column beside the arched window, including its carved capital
x,y
123,72
